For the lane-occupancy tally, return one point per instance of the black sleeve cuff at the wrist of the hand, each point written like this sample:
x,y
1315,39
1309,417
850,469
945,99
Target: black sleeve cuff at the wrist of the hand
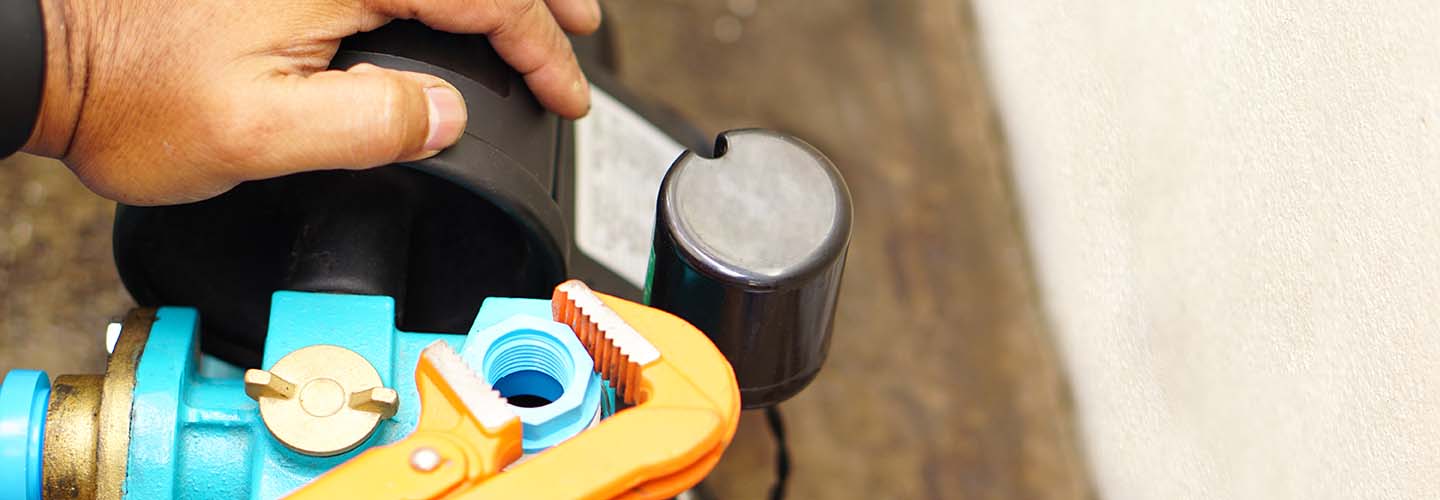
x,y
22,71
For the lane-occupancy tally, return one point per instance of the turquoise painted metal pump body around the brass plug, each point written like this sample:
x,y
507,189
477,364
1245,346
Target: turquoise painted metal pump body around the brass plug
x,y
197,434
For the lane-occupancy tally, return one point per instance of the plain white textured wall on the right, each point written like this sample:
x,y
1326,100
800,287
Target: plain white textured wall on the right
x,y
1235,211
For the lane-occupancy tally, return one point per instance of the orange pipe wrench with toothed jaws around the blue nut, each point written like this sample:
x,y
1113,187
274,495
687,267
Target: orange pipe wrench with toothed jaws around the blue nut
x,y
686,410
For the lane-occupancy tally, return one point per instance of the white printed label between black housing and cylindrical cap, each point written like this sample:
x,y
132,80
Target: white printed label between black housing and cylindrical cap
x,y
620,161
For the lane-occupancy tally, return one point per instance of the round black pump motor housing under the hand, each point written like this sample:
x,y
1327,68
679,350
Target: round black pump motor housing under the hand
x,y
440,236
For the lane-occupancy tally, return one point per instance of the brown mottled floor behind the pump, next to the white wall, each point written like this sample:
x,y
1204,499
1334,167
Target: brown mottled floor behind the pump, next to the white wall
x,y
942,383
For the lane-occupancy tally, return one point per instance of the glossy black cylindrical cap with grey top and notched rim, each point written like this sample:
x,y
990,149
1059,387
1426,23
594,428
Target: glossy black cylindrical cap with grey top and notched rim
x,y
750,249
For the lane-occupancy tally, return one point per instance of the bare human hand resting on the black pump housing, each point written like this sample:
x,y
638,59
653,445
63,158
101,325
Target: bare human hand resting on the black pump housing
x,y
161,102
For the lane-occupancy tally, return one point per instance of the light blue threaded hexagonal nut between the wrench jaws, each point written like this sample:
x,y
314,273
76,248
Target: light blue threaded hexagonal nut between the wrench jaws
x,y
544,371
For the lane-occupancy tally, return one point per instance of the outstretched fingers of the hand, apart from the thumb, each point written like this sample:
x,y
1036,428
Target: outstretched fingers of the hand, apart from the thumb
x,y
525,34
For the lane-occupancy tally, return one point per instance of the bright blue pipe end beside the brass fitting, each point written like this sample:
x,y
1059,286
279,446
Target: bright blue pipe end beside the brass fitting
x,y
24,400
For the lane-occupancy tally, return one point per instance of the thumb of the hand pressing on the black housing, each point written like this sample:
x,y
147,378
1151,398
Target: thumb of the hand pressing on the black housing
x,y
356,119
